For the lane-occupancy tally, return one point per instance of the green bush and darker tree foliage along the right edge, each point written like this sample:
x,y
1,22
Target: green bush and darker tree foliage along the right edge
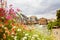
x,y
56,22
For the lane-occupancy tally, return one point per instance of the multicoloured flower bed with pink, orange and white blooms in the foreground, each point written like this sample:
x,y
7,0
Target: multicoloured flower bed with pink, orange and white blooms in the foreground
x,y
12,30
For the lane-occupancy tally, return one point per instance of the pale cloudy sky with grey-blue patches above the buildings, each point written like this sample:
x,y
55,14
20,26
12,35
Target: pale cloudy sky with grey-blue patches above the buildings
x,y
39,8
